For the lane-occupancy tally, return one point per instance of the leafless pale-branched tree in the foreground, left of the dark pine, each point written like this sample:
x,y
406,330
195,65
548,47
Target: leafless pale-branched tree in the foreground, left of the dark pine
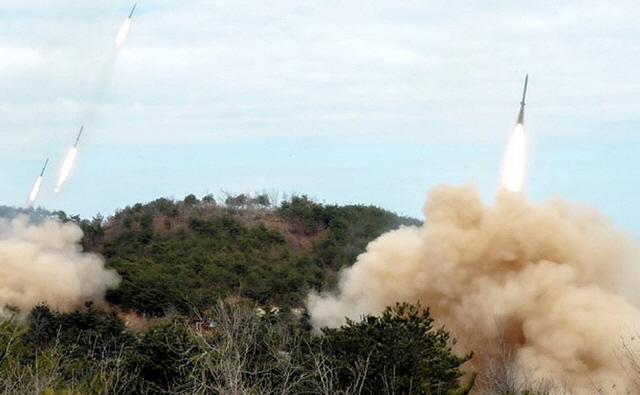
x,y
243,352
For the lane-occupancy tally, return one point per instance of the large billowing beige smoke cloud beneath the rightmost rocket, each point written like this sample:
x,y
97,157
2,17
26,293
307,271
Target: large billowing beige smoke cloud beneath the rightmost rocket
x,y
548,280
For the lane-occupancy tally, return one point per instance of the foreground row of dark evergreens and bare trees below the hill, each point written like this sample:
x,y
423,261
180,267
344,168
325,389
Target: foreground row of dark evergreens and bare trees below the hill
x,y
233,350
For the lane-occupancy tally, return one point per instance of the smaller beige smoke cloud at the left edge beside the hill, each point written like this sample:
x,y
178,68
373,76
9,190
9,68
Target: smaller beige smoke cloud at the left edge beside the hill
x,y
44,263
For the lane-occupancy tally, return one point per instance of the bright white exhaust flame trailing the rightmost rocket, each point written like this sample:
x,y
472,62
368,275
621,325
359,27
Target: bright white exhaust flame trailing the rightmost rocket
x,y
514,161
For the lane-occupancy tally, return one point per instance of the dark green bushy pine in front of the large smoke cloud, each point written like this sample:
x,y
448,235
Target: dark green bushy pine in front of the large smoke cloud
x,y
398,352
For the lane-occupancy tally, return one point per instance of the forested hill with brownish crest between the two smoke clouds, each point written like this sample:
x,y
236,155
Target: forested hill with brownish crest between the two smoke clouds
x,y
185,255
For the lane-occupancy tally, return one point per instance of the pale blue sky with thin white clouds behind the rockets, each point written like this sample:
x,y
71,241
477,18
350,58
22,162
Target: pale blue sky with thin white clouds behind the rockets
x,y
348,102
